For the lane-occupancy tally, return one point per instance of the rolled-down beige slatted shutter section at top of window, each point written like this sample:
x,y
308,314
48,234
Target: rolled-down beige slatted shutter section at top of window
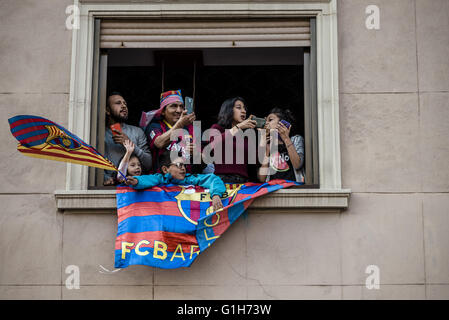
x,y
116,33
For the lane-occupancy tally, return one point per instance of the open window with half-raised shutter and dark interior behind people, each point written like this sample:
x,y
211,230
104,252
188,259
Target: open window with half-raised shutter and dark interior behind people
x,y
269,62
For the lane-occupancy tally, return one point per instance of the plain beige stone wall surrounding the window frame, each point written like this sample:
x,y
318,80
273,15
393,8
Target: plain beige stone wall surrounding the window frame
x,y
394,93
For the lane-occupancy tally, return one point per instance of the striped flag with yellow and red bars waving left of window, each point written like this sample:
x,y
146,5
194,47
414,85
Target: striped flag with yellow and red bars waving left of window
x,y
42,138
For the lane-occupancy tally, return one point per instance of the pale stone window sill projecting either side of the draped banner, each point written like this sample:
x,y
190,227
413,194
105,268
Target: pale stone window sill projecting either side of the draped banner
x,y
294,200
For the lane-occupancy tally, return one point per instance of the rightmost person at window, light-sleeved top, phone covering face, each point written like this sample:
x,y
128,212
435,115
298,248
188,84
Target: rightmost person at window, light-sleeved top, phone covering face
x,y
287,162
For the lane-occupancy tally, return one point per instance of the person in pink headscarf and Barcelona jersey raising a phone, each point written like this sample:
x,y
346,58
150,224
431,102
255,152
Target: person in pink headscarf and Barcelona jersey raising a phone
x,y
170,116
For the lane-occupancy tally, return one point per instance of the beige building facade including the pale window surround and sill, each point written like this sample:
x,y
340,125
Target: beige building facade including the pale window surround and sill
x,y
378,215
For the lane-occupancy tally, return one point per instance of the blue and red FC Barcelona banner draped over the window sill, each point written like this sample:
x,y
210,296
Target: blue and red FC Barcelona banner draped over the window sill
x,y
169,226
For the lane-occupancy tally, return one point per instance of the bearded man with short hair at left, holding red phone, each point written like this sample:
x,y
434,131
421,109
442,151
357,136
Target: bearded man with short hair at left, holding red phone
x,y
117,114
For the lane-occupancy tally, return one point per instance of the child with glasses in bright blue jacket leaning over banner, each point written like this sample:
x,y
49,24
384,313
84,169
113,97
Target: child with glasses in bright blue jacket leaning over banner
x,y
175,172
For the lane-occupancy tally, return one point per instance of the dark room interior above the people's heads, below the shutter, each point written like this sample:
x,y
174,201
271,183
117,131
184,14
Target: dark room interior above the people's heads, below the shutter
x,y
264,77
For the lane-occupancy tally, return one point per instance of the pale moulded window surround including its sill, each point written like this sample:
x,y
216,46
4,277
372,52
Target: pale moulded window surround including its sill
x,y
330,196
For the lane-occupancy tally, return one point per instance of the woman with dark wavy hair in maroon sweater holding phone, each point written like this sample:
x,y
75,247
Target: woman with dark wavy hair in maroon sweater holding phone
x,y
231,120
